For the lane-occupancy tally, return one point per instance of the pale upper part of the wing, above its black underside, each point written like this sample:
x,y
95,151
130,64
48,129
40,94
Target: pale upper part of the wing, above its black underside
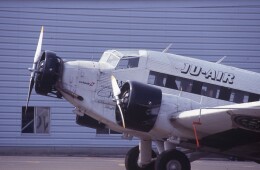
x,y
218,119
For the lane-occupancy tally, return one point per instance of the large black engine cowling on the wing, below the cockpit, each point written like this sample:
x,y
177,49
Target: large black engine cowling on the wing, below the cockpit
x,y
140,105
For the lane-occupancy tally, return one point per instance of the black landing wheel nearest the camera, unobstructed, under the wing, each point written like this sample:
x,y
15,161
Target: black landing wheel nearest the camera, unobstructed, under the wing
x,y
172,160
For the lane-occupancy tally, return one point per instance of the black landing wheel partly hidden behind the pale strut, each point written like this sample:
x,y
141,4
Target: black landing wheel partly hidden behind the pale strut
x,y
132,158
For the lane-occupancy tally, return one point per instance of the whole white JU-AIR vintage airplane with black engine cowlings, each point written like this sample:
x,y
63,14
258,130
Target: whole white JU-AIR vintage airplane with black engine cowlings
x,y
171,100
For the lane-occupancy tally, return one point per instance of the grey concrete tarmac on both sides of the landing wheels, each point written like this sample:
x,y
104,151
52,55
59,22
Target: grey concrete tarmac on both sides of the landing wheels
x,y
103,163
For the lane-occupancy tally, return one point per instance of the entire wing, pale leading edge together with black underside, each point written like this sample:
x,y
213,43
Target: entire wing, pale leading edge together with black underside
x,y
233,128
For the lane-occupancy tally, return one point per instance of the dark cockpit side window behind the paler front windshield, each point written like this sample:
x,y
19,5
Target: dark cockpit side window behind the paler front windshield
x,y
128,62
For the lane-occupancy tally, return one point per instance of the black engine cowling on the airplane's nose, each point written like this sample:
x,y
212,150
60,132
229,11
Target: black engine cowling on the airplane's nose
x,y
48,71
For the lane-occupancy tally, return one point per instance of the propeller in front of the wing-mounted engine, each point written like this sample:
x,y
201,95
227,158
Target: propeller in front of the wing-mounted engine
x,y
116,93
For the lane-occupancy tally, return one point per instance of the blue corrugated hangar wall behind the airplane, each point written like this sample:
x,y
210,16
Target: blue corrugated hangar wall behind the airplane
x,y
84,29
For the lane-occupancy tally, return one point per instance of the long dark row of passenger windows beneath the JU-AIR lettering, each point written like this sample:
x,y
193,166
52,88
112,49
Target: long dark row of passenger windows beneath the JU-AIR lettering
x,y
201,88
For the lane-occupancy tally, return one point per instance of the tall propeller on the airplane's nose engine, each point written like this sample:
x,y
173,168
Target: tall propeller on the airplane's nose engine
x,y
33,69
